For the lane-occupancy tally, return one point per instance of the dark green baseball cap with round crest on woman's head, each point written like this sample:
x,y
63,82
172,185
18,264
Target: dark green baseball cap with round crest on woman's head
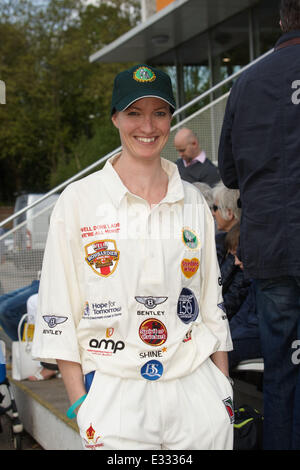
x,y
139,82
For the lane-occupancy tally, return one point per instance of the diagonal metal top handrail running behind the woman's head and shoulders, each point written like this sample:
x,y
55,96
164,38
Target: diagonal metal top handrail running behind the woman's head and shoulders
x,y
114,152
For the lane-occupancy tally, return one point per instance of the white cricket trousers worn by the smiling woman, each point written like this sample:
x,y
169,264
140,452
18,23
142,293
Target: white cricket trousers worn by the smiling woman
x,y
188,413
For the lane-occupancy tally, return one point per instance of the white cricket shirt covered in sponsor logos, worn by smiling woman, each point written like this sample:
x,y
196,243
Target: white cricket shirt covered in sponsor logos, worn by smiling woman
x,y
127,289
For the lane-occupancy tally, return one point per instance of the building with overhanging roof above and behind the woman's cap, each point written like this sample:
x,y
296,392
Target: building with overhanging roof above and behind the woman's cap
x,y
200,41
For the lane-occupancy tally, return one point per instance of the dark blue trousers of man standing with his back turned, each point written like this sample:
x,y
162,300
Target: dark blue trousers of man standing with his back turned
x,y
278,307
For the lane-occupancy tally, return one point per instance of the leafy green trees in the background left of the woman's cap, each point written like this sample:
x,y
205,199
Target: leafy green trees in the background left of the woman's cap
x,y
57,102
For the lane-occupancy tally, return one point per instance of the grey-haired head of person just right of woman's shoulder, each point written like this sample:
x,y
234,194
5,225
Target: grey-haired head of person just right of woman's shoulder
x,y
226,209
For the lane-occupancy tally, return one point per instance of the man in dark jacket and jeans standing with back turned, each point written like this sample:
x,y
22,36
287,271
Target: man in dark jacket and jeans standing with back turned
x,y
259,154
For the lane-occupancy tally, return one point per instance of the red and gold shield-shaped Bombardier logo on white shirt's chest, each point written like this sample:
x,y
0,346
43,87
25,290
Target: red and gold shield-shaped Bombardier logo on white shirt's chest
x,y
102,256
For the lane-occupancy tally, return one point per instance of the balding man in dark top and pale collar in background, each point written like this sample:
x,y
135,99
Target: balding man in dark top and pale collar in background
x,y
193,165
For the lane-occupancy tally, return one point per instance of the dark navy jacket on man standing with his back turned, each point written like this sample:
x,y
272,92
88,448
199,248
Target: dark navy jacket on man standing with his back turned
x,y
259,154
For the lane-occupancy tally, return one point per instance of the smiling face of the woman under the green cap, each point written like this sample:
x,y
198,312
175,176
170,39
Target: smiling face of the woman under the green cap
x,y
144,127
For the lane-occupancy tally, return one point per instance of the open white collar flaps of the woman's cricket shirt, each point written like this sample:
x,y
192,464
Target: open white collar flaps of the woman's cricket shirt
x,y
117,190
